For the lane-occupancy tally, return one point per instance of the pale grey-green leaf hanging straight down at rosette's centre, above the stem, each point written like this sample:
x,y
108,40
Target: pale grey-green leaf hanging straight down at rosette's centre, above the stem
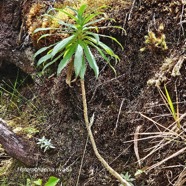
x,y
78,59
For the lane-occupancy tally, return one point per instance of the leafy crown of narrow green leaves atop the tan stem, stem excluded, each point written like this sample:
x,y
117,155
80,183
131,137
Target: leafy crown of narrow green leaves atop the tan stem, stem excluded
x,y
79,42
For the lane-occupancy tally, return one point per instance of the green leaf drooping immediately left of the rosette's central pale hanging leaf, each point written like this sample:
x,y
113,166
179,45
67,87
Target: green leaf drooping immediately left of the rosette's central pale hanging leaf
x,y
66,59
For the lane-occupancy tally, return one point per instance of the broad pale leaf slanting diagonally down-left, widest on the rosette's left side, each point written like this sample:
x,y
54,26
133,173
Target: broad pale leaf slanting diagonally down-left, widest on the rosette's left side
x,y
61,45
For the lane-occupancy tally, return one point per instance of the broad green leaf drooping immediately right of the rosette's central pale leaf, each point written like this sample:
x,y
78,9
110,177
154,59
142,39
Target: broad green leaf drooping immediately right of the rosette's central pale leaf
x,y
91,60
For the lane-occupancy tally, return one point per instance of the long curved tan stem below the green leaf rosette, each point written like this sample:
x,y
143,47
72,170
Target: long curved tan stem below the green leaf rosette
x,y
88,126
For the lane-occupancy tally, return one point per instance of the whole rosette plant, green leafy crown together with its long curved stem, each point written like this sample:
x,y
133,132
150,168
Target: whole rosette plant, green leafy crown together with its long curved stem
x,y
75,50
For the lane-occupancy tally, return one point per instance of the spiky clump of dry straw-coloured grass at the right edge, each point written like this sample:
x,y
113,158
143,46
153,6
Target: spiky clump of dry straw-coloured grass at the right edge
x,y
161,139
